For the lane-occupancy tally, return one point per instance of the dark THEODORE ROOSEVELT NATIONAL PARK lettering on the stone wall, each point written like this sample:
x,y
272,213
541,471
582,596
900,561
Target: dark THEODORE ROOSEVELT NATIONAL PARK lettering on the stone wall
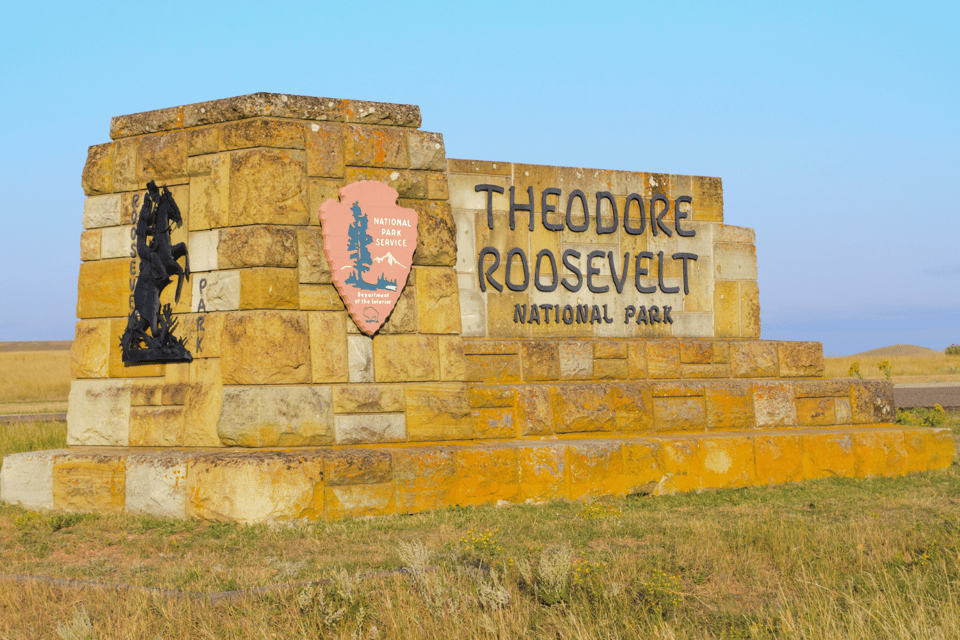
x,y
547,271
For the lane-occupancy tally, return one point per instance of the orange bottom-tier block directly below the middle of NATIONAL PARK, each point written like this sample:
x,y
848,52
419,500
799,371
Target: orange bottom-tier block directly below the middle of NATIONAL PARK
x,y
595,469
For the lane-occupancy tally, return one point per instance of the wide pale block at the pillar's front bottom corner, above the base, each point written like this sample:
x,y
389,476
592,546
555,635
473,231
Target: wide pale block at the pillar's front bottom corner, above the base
x,y
276,416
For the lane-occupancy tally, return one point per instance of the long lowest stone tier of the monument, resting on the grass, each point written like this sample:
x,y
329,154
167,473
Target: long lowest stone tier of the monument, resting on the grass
x,y
329,483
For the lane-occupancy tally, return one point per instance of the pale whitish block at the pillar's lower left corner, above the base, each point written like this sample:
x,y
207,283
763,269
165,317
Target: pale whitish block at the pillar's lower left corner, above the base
x,y
98,413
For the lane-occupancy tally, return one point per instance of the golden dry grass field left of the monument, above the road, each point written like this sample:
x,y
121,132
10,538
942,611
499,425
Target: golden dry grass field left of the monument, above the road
x,y
34,376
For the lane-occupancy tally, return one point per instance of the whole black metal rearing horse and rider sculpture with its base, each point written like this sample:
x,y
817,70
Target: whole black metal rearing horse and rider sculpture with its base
x,y
159,262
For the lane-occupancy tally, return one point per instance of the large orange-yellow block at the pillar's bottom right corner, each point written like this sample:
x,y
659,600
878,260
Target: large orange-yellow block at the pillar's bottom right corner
x,y
438,412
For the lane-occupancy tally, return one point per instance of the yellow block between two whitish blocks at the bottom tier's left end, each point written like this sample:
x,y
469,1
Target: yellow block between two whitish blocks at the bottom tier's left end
x,y
85,483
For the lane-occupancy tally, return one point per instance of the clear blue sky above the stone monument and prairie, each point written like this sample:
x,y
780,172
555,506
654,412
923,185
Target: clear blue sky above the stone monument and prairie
x,y
834,126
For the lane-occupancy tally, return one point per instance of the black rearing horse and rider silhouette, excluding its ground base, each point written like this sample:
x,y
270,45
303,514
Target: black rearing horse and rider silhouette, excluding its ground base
x,y
158,258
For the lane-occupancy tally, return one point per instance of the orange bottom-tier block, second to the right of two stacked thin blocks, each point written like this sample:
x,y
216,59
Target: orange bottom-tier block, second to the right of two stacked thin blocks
x,y
487,475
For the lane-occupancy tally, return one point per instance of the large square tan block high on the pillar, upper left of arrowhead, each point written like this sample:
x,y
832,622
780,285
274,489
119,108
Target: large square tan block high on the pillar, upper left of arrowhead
x,y
268,187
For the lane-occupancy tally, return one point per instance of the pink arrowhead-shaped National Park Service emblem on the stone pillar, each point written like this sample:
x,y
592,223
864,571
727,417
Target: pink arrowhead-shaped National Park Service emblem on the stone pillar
x,y
369,241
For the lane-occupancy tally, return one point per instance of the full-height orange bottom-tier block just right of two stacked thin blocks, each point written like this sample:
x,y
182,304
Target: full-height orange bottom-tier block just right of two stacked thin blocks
x,y
424,479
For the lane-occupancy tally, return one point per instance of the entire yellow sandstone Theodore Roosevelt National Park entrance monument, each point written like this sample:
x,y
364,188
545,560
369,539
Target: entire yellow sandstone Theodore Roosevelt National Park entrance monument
x,y
376,328
